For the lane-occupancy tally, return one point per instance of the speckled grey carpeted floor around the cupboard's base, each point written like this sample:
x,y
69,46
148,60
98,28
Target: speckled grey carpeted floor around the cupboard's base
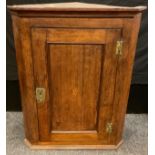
x,y
135,138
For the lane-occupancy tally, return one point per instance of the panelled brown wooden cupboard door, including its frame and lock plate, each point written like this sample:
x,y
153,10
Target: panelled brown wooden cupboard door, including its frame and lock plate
x,y
74,73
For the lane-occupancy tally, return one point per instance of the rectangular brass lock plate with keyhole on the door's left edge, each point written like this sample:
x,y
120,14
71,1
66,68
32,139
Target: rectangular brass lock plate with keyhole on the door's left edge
x,y
40,95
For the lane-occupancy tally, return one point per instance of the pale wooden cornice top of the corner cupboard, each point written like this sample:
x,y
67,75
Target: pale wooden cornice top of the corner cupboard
x,y
74,6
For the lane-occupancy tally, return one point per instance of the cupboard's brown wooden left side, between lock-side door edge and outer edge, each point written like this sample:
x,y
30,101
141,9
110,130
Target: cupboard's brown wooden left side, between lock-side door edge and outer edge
x,y
25,73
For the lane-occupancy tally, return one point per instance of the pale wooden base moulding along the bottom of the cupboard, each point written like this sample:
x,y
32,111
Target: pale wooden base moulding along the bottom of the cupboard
x,y
56,146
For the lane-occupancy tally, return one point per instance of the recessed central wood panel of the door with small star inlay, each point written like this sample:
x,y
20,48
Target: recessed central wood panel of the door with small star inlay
x,y
74,86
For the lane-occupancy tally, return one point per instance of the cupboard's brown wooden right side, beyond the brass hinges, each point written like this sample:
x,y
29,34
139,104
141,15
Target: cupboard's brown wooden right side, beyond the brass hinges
x,y
124,73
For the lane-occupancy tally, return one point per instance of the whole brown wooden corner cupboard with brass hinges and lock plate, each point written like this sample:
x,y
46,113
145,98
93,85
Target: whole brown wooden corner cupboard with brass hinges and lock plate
x,y
74,64
